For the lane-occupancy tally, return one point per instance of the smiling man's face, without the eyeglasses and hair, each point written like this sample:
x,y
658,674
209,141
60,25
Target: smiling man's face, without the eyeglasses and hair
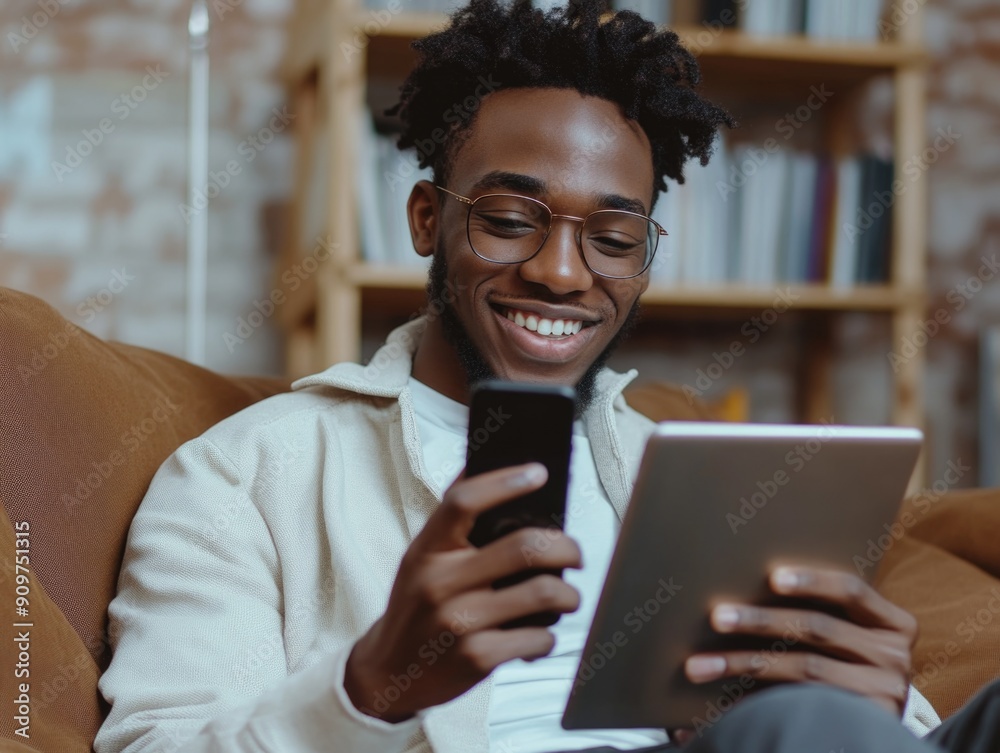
x,y
576,154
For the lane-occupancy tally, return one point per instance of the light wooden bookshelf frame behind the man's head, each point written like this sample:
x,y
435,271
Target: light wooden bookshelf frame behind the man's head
x,y
344,59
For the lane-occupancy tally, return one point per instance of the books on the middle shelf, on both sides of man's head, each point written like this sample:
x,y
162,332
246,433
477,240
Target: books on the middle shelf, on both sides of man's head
x,y
749,217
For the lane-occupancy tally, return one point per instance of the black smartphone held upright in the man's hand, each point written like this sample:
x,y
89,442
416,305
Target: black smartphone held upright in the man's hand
x,y
511,423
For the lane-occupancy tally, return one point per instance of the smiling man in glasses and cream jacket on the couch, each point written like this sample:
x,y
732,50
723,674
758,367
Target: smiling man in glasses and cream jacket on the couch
x,y
298,580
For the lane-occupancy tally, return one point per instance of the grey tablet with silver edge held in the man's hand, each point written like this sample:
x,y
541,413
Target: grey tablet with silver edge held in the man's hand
x,y
714,508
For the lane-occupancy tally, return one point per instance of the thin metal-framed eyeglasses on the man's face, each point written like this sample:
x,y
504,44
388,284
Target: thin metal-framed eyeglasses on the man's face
x,y
510,229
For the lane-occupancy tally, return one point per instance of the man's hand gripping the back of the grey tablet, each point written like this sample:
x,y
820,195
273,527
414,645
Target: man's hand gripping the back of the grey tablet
x,y
867,653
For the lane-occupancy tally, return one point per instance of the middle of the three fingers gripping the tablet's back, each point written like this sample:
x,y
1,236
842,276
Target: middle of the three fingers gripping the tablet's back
x,y
792,627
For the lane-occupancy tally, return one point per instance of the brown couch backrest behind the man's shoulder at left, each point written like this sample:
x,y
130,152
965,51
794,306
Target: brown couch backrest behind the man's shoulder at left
x,y
84,424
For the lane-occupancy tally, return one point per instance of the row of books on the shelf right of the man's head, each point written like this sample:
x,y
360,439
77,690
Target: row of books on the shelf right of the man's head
x,y
757,218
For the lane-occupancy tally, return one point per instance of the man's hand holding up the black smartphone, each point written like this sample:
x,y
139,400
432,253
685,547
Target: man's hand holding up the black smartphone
x,y
441,628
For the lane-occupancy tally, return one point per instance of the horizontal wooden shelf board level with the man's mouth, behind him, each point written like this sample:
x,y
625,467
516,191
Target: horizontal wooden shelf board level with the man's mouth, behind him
x,y
811,297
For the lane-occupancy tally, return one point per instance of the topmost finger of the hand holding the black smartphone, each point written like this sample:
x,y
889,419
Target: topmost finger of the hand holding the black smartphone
x,y
449,526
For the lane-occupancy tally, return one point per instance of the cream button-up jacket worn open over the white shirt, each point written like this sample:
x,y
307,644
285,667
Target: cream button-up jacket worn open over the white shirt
x,y
266,547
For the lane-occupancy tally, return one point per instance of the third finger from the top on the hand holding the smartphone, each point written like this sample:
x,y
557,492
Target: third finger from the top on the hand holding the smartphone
x,y
491,608
